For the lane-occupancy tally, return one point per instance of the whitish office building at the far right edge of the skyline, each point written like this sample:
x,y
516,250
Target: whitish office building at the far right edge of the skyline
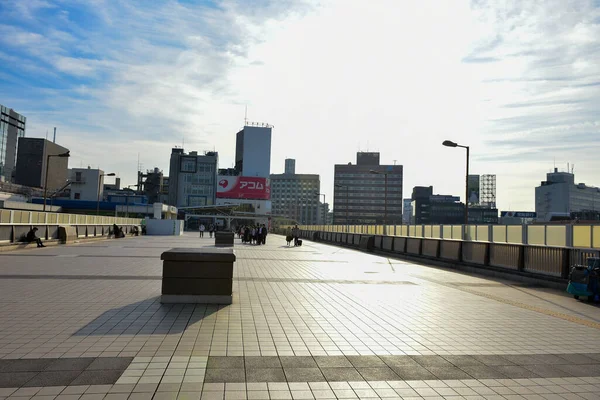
x,y
559,194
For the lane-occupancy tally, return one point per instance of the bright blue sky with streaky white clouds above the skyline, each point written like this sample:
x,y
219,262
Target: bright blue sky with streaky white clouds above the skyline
x,y
517,81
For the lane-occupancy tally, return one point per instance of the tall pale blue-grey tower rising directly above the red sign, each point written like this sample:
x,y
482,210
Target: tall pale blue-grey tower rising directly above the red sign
x,y
253,151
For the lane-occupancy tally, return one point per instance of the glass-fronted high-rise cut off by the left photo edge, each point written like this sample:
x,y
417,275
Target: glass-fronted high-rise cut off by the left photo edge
x,y
12,127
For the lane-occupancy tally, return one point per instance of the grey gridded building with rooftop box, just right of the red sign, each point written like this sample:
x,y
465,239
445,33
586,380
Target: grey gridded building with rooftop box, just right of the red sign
x,y
295,196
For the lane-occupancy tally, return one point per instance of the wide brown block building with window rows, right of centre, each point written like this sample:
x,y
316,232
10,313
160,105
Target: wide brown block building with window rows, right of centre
x,y
360,192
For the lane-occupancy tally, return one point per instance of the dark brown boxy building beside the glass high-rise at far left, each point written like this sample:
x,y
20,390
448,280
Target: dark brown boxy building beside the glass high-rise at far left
x,y
32,159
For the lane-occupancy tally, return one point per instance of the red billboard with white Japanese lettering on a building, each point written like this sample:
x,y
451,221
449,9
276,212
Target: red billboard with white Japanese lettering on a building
x,y
243,187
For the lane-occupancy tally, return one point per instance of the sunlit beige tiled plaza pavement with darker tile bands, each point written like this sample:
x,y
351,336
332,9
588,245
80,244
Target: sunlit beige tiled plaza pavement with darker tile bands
x,y
315,322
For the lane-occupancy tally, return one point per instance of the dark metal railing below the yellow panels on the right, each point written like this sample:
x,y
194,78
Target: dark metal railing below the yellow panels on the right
x,y
540,260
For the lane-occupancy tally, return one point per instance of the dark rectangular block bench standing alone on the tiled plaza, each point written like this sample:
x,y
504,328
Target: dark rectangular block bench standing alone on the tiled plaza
x,y
197,276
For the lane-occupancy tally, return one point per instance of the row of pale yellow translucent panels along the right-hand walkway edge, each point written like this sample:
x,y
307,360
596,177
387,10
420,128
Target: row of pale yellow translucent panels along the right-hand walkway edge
x,y
578,236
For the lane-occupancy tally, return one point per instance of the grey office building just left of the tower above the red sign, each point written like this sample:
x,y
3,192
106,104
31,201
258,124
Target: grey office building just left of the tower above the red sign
x,y
192,178
